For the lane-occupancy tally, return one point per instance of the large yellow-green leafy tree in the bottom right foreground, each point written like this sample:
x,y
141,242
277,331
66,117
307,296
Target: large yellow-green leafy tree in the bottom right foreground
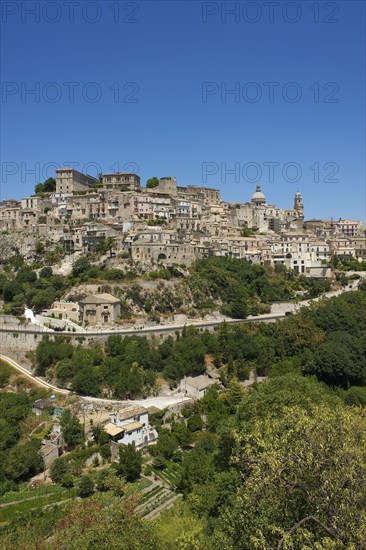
x,y
303,485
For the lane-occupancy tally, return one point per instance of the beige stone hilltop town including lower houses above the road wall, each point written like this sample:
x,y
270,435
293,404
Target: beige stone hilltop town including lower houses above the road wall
x,y
116,222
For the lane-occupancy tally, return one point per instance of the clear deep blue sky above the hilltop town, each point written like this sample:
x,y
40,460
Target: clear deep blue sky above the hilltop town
x,y
177,123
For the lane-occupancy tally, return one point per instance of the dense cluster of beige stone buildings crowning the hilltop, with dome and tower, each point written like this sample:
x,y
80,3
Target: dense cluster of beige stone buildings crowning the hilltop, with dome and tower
x,y
176,224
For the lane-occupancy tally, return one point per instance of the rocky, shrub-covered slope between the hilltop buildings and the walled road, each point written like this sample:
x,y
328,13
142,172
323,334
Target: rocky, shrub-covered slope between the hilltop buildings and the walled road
x,y
236,287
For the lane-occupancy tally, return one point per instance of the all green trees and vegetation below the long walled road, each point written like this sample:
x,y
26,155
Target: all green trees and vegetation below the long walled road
x,y
281,465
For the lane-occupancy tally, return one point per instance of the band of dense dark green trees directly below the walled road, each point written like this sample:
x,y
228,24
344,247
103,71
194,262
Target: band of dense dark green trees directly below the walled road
x,y
327,339
